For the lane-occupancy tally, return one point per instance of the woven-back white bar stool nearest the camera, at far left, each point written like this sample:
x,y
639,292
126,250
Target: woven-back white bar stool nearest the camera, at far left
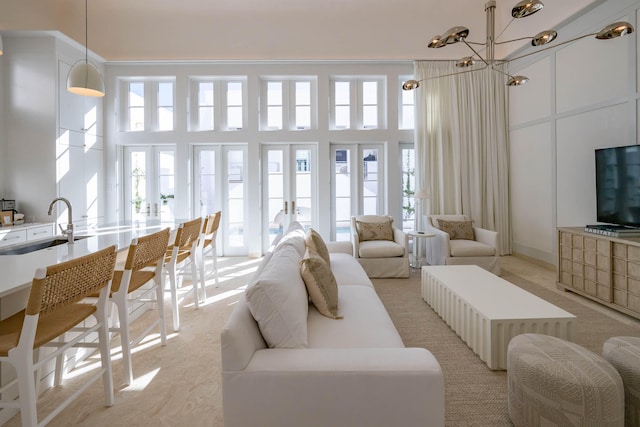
x,y
54,308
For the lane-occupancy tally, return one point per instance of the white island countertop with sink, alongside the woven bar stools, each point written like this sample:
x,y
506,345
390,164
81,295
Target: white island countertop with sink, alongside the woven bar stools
x,y
18,270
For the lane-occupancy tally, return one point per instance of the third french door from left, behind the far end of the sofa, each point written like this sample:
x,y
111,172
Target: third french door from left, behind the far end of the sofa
x,y
289,188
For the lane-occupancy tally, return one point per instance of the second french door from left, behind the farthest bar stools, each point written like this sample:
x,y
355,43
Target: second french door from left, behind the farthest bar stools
x,y
220,185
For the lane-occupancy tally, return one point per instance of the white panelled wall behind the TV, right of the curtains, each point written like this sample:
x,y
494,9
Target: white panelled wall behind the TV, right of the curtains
x,y
580,97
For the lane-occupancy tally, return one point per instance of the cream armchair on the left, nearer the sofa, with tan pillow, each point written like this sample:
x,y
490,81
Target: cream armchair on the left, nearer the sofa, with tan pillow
x,y
380,248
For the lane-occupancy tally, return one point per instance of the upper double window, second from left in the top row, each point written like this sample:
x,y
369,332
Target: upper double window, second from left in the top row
x,y
216,104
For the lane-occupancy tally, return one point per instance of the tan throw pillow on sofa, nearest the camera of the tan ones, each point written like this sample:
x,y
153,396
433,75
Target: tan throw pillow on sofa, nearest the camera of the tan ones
x,y
321,284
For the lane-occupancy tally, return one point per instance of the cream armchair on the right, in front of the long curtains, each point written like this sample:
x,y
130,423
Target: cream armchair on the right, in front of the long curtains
x,y
443,250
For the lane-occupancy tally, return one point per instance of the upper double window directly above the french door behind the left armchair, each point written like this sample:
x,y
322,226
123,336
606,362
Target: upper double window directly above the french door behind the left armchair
x,y
357,103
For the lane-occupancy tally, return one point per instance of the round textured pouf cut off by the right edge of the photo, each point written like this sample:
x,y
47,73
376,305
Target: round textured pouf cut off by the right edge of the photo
x,y
624,354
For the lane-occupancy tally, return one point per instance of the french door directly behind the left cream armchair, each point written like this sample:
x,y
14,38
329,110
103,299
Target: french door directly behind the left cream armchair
x,y
357,184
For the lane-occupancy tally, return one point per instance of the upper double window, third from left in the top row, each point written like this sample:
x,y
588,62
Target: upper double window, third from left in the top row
x,y
287,104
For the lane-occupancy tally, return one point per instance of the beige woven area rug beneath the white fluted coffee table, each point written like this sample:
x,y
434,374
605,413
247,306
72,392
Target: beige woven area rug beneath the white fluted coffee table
x,y
474,394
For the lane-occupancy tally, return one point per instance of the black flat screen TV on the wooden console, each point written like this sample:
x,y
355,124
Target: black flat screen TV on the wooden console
x,y
618,185
